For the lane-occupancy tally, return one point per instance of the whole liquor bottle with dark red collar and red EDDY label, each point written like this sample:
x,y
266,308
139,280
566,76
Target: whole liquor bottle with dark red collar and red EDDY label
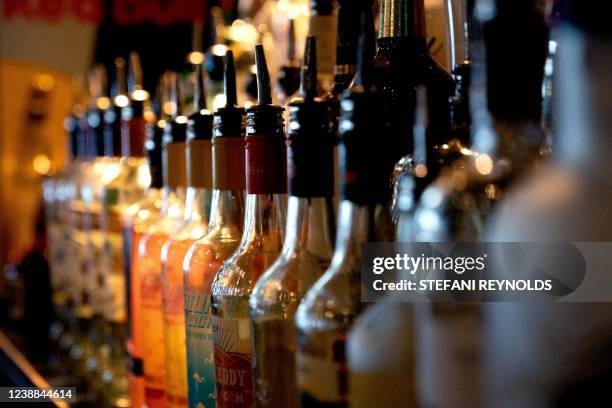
x,y
264,223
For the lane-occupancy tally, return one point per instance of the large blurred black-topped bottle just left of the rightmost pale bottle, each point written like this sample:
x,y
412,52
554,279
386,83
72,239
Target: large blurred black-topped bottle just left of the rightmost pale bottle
x,y
506,145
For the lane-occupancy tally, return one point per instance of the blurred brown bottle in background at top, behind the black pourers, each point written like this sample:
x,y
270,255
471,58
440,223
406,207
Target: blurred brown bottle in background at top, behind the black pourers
x,y
323,25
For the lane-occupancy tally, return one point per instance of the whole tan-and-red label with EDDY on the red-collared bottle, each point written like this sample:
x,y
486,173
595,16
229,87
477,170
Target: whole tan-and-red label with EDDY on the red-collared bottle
x,y
232,344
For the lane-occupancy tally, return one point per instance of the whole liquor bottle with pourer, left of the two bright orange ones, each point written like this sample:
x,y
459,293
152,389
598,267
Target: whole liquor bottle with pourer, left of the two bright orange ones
x,y
148,261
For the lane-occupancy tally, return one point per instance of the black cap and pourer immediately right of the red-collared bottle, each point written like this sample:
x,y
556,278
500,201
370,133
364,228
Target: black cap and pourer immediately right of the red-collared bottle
x,y
310,144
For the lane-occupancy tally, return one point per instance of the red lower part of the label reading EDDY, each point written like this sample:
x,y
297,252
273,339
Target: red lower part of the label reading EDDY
x,y
234,379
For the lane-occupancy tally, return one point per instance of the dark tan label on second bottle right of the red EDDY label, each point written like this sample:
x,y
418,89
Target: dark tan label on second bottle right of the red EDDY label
x,y
321,380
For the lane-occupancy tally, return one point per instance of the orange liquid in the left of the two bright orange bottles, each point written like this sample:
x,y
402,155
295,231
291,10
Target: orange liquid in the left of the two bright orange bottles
x,y
148,263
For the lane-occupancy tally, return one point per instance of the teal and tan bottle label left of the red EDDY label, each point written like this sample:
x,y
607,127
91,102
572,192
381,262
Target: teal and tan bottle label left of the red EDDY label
x,y
200,354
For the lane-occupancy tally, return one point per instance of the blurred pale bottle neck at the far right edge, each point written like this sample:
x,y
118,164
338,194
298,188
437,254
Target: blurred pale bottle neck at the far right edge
x,y
582,101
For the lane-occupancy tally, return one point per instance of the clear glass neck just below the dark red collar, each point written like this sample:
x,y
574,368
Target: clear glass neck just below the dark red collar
x,y
265,216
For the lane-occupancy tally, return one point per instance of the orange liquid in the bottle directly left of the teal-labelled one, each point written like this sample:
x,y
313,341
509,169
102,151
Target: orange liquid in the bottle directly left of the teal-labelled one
x,y
173,254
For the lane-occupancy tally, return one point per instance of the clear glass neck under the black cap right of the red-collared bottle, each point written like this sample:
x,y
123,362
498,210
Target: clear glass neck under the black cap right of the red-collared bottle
x,y
309,226
